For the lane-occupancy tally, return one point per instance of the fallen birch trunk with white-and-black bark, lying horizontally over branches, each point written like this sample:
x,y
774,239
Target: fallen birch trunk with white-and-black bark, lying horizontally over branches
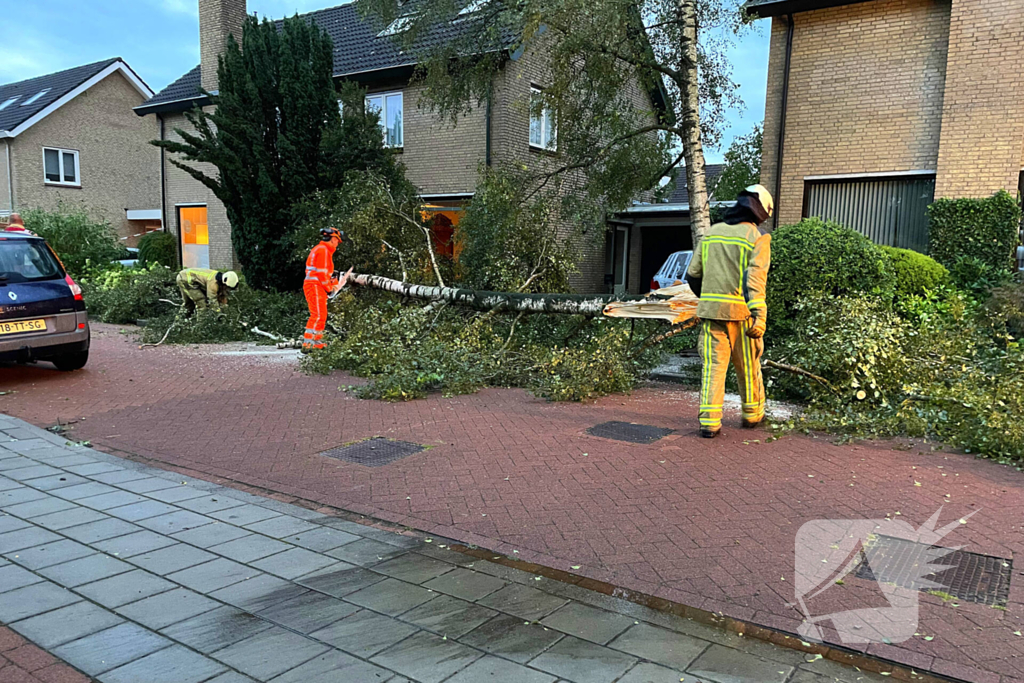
x,y
573,305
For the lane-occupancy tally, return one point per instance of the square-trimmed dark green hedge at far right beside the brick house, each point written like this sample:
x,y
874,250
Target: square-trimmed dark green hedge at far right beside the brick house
x,y
982,229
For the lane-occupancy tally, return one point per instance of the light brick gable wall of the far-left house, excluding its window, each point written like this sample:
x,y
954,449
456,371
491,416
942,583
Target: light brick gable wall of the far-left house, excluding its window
x,y
118,166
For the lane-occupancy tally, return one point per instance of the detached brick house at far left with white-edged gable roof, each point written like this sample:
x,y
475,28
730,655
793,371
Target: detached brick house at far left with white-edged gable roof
x,y
71,138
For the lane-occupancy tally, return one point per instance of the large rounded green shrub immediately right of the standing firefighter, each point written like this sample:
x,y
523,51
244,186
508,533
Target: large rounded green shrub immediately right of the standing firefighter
x,y
823,257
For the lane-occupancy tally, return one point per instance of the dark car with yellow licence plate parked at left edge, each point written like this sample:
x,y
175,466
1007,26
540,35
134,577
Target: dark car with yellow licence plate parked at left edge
x,y
42,314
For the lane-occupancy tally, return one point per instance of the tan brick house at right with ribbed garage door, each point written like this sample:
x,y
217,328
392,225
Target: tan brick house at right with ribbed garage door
x,y
877,108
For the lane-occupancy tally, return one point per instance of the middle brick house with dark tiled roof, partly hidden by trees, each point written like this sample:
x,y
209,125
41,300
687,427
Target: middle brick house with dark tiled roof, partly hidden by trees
x,y
442,160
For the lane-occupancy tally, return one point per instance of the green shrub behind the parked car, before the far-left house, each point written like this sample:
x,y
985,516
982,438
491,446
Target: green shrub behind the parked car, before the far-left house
x,y
78,239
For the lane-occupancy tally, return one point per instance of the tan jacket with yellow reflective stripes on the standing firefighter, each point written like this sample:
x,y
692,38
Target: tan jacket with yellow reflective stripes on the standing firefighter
x,y
733,265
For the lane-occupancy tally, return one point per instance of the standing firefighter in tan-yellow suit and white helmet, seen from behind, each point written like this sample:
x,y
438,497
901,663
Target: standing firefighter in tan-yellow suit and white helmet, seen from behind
x,y
730,273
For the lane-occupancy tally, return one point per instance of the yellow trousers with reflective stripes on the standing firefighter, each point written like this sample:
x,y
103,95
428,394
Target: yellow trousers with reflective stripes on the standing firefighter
x,y
720,343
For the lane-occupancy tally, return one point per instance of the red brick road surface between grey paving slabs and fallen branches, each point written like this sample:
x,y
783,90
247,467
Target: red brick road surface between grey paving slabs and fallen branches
x,y
711,525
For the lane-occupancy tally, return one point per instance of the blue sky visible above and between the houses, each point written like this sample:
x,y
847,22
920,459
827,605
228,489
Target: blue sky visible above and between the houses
x,y
160,40
